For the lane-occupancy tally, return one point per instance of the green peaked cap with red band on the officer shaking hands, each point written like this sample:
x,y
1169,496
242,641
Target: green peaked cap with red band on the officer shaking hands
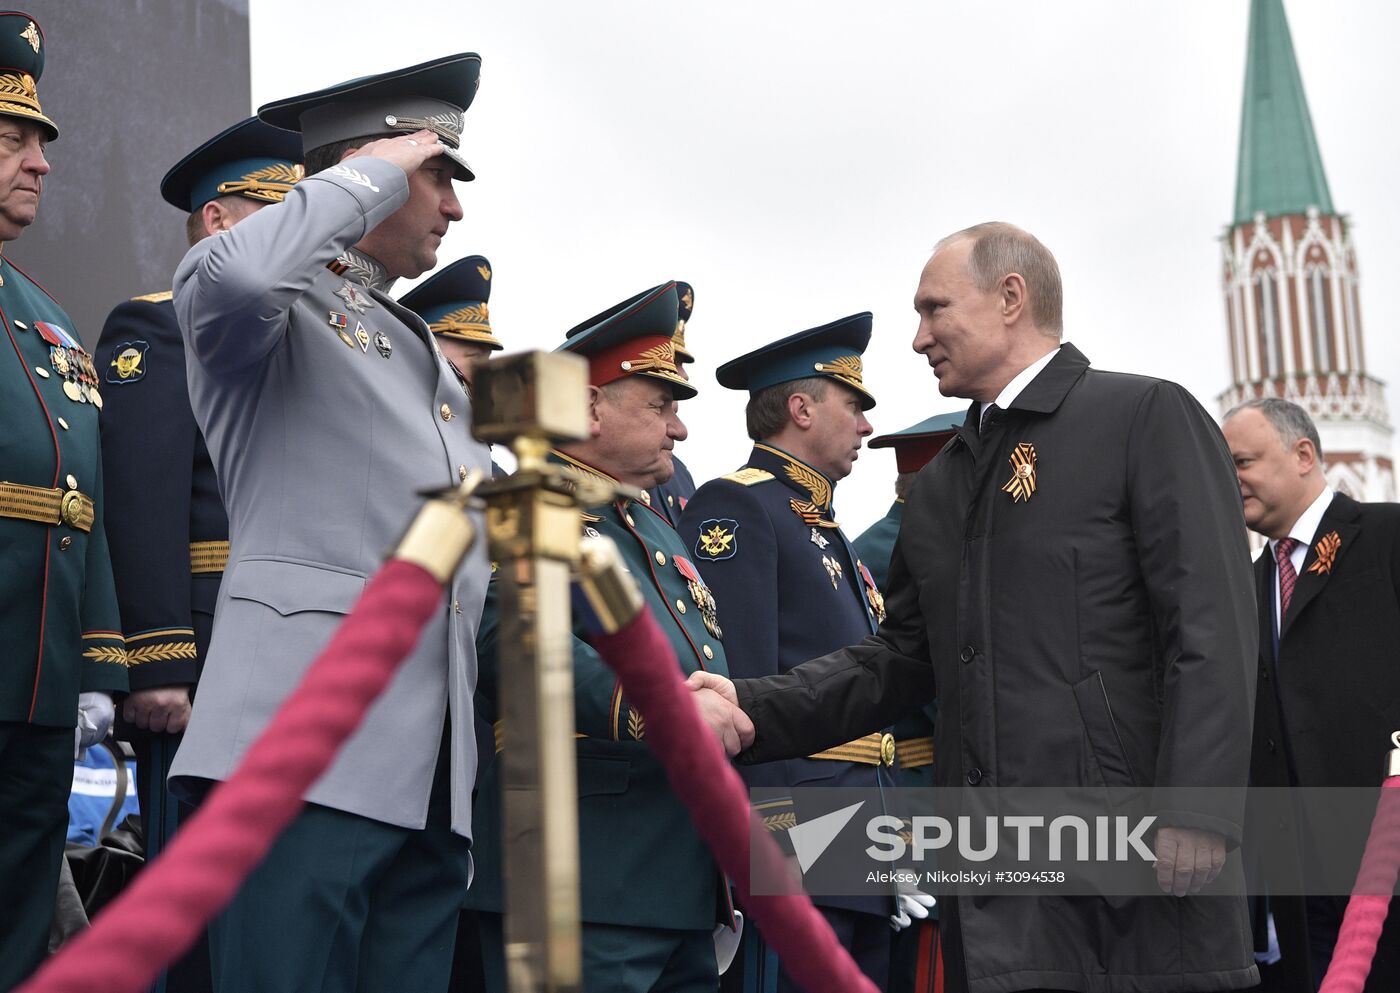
x,y
635,338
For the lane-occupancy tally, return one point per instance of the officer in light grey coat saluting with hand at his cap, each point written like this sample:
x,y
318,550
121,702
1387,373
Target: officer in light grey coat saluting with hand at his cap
x,y
327,408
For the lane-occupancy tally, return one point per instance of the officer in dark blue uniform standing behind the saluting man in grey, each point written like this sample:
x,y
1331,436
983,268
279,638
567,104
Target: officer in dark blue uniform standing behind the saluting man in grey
x,y
166,520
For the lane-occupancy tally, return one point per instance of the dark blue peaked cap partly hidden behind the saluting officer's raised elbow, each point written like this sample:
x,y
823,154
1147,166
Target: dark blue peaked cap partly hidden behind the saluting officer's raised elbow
x,y
253,159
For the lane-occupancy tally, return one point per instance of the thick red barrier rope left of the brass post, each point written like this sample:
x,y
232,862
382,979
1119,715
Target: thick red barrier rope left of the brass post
x,y
174,898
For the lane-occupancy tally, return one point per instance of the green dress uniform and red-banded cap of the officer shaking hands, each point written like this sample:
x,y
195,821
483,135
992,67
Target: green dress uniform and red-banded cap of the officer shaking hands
x,y
652,893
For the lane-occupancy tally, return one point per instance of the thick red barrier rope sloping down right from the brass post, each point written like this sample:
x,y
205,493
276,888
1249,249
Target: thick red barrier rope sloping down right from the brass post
x,y
719,803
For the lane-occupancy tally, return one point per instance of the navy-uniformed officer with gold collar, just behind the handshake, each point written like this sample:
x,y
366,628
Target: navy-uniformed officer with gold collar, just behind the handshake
x,y
789,583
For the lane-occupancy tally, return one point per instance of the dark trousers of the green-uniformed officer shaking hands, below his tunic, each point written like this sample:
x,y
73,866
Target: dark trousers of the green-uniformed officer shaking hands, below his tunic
x,y
622,960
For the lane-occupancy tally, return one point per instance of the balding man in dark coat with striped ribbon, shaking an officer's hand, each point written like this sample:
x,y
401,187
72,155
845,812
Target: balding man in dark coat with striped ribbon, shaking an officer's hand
x,y
1073,578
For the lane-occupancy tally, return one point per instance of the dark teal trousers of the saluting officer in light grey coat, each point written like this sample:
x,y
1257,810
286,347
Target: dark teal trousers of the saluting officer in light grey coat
x,y
348,905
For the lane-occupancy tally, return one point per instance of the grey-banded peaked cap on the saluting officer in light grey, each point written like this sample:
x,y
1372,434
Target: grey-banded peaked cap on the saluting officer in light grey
x,y
432,95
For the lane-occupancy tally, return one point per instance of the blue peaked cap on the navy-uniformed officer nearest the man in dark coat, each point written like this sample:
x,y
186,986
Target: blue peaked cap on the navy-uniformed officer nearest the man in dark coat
x,y
832,351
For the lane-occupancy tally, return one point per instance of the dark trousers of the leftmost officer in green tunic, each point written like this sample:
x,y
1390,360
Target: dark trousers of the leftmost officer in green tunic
x,y
36,779
